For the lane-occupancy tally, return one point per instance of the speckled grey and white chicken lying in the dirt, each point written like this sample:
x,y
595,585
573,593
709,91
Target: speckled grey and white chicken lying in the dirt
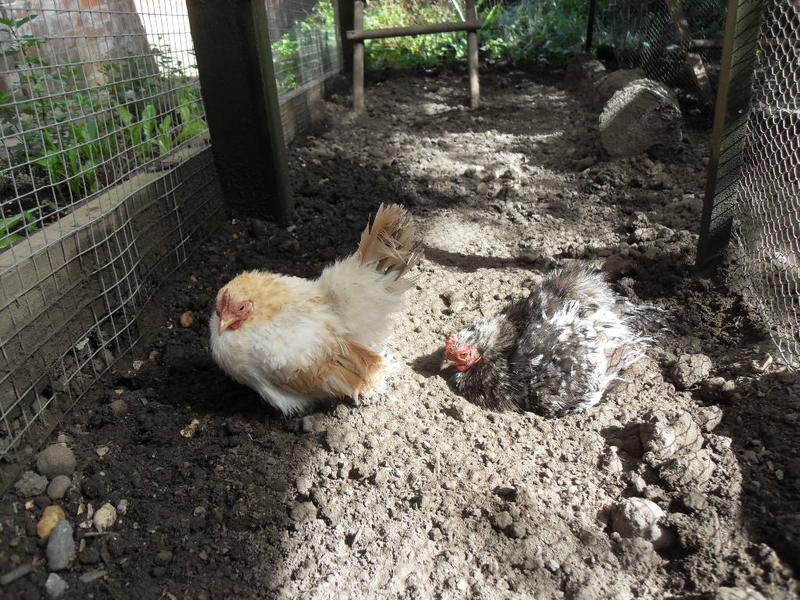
x,y
554,353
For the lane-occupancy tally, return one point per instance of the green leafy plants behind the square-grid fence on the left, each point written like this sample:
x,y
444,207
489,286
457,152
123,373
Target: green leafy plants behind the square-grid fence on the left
x,y
80,136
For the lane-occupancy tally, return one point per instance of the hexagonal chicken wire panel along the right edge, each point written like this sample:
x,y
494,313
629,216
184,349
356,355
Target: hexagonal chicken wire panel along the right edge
x,y
767,218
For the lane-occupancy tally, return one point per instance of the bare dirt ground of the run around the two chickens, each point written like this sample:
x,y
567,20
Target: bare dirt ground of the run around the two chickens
x,y
414,492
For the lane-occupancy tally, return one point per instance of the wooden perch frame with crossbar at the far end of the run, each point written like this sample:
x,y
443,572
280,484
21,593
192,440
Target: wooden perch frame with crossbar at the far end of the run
x,y
358,35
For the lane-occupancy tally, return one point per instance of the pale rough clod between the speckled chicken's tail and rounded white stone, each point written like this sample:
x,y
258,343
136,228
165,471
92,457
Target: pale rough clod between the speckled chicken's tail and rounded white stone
x,y
666,434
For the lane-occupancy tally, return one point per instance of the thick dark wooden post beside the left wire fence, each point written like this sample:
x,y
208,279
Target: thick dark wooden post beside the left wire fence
x,y
237,80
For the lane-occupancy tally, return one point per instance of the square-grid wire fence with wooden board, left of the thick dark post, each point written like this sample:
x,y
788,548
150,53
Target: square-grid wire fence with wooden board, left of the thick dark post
x,y
103,131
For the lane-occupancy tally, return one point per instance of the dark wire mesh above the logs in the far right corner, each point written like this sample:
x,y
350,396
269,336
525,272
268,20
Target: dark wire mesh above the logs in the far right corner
x,y
643,35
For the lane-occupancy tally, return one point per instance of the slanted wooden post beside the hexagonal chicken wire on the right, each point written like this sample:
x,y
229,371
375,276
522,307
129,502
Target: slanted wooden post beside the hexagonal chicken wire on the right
x,y
732,109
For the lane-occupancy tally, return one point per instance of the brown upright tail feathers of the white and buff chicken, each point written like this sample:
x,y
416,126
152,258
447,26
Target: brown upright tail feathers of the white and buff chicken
x,y
388,243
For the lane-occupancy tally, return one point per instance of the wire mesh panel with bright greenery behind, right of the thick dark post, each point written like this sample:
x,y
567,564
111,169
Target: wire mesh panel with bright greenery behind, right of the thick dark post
x,y
305,45
